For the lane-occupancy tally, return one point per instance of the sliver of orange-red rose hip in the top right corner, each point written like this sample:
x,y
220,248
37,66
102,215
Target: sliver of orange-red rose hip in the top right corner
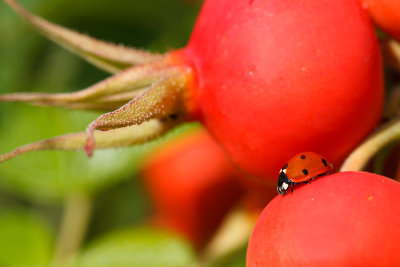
x,y
386,14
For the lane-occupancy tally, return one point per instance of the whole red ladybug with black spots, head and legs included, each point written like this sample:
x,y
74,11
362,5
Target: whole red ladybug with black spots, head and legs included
x,y
300,169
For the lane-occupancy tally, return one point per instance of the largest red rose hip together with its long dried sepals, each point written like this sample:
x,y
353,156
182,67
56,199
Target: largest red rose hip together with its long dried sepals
x,y
268,78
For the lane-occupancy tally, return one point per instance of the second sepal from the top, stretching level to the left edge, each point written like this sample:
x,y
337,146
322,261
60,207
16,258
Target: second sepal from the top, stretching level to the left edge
x,y
108,95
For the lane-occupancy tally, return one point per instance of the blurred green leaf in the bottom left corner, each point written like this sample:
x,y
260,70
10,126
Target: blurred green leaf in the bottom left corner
x,y
25,240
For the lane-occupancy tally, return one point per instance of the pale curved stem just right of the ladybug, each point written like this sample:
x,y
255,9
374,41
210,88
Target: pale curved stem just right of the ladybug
x,y
362,154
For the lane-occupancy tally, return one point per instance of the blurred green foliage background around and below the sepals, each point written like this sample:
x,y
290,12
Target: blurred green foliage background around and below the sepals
x,y
40,192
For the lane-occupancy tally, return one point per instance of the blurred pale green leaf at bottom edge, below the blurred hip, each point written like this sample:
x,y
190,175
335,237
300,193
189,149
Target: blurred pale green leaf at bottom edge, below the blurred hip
x,y
137,247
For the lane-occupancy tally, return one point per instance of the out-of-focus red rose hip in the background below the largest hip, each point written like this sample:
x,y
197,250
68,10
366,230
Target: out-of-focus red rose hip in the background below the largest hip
x,y
192,186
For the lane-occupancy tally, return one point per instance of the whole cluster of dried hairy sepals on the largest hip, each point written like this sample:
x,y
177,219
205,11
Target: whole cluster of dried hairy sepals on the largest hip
x,y
146,87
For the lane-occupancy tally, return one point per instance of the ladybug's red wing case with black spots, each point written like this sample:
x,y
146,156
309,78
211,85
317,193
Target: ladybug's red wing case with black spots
x,y
305,166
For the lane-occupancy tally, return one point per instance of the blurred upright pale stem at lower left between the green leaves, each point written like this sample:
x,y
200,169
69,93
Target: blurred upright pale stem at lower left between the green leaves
x,y
74,222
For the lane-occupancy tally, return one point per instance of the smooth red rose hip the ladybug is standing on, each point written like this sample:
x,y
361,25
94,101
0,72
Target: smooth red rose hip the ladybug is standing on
x,y
343,219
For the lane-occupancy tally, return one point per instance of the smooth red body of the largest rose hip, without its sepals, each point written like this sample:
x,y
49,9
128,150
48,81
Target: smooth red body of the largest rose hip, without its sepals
x,y
278,77
